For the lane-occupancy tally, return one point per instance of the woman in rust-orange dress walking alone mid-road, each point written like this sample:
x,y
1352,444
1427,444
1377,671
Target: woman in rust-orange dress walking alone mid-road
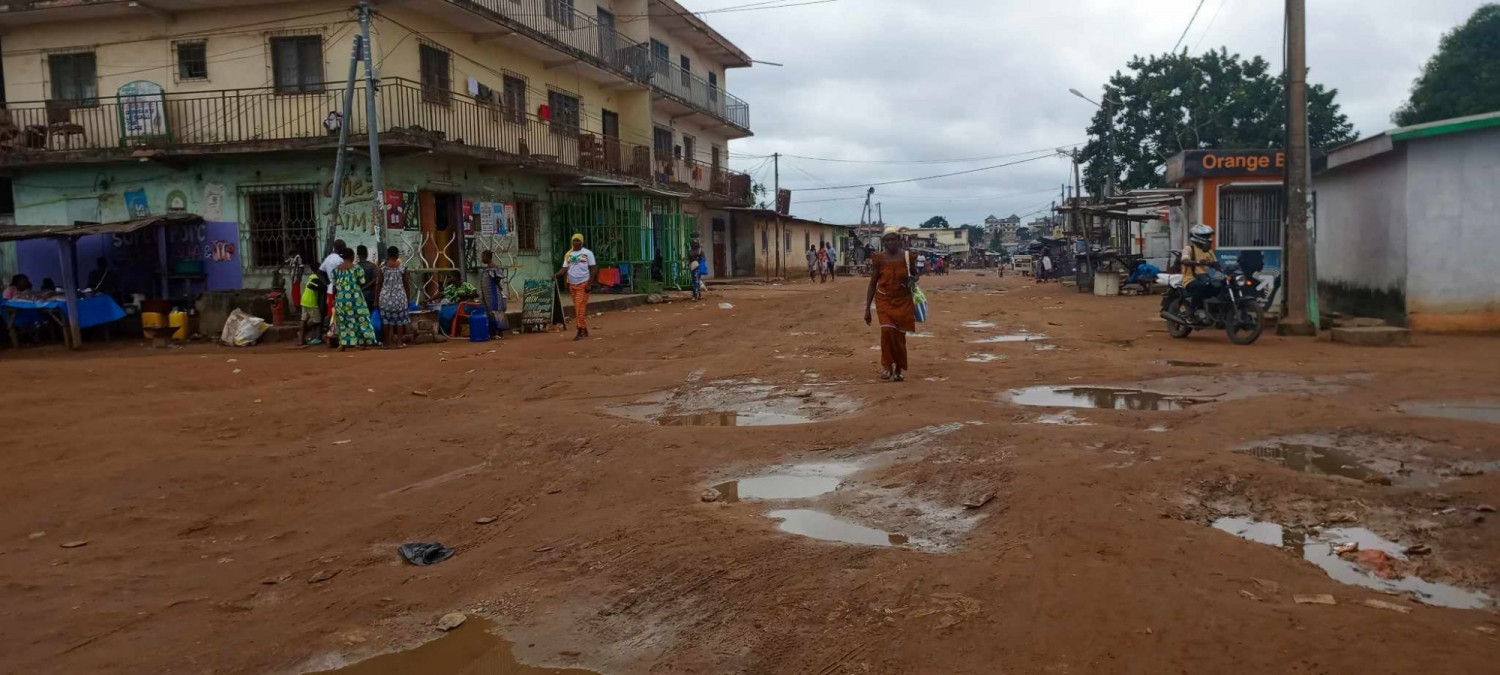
x,y
892,280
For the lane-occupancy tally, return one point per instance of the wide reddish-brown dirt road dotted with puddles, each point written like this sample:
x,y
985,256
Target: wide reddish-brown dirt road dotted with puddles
x,y
242,508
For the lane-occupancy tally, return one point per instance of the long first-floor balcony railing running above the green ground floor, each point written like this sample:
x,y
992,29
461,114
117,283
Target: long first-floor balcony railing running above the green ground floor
x,y
263,119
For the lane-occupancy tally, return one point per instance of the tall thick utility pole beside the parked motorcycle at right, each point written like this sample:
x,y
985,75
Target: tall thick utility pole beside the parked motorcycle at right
x,y
1297,269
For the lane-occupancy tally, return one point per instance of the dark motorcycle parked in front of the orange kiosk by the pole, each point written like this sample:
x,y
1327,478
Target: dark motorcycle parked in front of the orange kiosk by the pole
x,y
1238,307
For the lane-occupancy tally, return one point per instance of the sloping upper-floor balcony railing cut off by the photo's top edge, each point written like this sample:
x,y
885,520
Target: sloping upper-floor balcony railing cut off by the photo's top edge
x,y
562,28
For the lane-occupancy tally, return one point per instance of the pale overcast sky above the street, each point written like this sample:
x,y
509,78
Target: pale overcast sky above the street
x,y
880,80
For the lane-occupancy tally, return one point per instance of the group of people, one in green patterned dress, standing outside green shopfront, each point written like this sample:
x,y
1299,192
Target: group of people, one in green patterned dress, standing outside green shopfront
x,y
340,296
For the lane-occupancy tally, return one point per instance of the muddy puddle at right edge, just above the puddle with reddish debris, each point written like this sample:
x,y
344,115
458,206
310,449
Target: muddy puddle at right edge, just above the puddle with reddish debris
x,y
1370,458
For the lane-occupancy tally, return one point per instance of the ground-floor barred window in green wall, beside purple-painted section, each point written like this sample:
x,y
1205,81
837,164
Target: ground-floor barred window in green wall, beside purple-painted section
x,y
281,221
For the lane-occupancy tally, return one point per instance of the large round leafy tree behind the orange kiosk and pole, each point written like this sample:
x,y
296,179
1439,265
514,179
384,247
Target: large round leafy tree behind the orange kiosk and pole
x,y
1166,104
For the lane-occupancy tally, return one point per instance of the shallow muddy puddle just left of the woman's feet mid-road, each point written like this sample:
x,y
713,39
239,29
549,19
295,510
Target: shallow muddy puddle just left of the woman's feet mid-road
x,y
734,403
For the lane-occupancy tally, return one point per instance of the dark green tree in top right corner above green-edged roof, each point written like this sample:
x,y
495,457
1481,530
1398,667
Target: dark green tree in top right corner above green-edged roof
x,y
1463,79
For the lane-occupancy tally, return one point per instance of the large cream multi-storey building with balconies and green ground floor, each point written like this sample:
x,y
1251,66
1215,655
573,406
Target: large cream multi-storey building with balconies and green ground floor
x,y
502,125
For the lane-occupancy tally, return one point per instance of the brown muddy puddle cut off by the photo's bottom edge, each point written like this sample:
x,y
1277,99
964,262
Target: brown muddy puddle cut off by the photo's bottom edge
x,y
469,650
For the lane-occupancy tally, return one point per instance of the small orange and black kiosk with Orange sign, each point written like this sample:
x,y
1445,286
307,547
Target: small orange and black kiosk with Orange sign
x,y
1241,196
